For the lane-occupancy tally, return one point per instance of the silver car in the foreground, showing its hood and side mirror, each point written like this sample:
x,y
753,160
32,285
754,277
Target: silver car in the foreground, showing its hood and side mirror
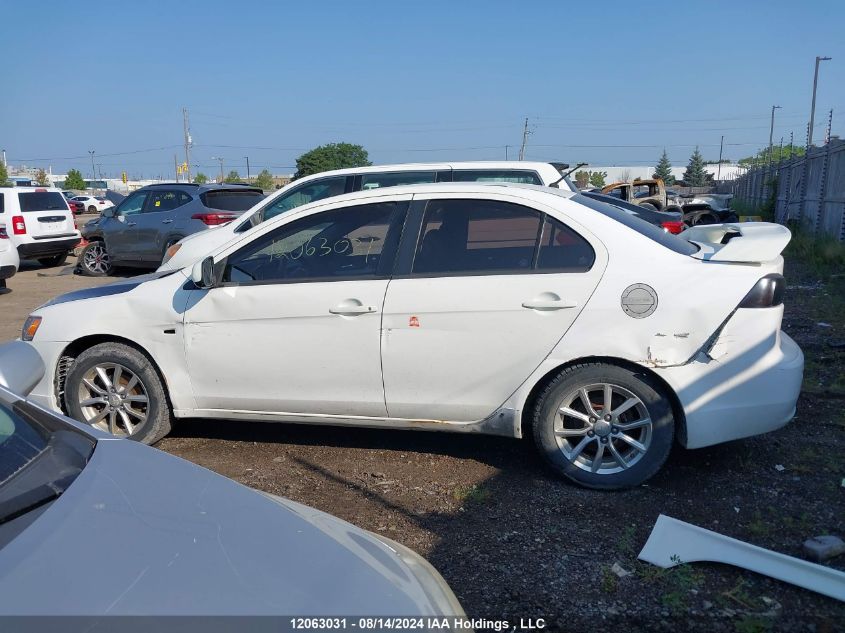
x,y
159,536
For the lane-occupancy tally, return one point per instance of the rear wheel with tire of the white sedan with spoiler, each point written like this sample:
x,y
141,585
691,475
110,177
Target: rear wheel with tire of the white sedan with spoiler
x,y
604,426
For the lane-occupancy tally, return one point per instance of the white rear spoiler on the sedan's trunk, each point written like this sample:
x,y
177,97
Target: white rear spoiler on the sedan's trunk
x,y
749,242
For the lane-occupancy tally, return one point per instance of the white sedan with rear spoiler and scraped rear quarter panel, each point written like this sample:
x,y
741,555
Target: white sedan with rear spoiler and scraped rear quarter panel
x,y
501,309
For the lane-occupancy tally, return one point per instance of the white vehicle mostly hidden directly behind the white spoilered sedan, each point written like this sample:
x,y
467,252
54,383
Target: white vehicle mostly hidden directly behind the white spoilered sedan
x,y
333,183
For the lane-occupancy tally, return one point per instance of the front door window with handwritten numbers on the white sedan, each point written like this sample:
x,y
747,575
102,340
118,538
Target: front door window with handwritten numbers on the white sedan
x,y
352,242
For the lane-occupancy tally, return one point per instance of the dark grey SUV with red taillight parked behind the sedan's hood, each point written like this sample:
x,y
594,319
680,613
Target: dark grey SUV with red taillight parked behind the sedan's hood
x,y
139,230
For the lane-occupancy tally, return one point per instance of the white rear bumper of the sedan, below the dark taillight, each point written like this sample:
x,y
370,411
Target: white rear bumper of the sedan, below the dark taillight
x,y
738,396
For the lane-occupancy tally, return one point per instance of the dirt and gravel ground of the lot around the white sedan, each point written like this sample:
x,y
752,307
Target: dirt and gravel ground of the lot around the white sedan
x,y
515,542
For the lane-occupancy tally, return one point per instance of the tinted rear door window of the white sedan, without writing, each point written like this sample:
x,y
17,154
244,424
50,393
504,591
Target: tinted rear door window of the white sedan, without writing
x,y
492,237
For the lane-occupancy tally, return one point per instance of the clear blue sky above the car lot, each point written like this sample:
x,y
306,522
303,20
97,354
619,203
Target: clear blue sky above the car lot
x,y
418,81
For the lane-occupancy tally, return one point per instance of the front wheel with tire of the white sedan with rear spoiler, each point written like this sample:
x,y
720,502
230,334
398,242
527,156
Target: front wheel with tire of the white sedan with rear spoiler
x,y
115,388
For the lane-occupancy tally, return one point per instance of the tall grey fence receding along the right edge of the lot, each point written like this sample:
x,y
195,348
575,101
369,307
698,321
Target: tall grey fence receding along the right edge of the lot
x,y
808,189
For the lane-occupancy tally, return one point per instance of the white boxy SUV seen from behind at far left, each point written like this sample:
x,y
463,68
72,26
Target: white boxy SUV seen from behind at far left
x,y
41,223
